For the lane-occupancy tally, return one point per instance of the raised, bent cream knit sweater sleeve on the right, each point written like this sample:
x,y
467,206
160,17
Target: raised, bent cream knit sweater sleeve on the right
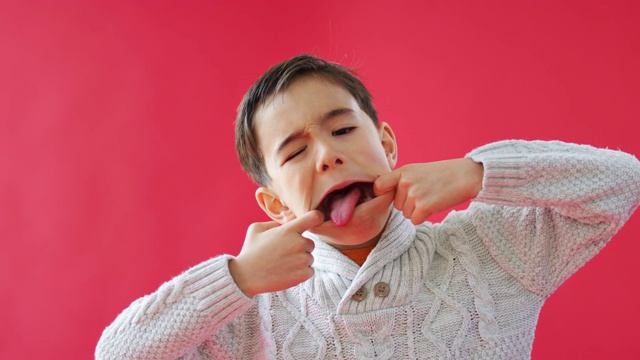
x,y
546,208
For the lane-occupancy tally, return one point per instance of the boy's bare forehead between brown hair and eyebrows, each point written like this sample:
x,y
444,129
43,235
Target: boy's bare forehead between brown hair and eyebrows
x,y
302,104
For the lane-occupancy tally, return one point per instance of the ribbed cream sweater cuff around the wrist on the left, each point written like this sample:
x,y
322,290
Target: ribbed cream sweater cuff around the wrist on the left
x,y
212,284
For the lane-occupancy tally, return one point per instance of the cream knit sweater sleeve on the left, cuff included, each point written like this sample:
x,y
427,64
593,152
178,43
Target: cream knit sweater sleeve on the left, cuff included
x,y
179,316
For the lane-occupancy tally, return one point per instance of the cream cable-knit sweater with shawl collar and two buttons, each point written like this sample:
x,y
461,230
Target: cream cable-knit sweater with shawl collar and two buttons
x,y
470,287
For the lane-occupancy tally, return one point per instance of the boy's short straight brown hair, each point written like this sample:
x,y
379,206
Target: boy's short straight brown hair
x,y
277,79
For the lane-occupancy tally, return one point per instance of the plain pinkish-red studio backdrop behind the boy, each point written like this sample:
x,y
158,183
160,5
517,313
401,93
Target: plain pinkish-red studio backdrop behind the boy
x,y
117,165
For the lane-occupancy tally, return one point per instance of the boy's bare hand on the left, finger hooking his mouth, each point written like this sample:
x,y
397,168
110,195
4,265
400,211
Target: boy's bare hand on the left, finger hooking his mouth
x,y
275,257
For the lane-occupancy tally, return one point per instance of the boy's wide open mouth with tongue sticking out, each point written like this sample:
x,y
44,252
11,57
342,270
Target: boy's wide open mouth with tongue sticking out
x,y
340,204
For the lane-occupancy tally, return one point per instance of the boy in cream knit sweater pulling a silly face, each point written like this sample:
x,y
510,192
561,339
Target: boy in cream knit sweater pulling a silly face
x,y
349,269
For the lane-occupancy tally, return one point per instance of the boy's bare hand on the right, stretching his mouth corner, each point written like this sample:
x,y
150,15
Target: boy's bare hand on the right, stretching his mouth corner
x,y
429,188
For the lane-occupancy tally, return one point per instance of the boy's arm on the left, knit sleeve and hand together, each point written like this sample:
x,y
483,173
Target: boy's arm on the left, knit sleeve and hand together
x,y
188,310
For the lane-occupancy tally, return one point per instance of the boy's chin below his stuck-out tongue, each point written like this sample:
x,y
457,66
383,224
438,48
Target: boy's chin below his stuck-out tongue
x,y
368,221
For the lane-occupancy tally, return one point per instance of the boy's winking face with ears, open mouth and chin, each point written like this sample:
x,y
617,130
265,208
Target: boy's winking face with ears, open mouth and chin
x,y
323,152
